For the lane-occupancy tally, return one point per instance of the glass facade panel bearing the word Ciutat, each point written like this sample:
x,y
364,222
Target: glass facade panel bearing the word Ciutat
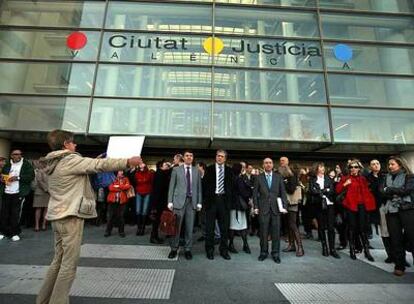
x,y
154,48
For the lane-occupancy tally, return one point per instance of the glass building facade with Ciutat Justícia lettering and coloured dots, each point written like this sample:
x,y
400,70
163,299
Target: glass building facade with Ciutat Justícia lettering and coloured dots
x,y
304,75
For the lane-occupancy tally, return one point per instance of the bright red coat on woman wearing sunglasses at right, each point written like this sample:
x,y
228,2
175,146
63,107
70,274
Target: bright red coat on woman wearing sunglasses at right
x,y
357,192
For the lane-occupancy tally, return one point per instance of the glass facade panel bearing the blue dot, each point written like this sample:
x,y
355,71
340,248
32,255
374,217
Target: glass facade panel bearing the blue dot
x,y
369,58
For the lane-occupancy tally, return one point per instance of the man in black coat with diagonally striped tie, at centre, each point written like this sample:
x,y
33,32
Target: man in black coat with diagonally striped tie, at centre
x,y
217,194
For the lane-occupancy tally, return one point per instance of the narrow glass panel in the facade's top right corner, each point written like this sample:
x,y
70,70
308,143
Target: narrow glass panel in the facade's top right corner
x,y
391,6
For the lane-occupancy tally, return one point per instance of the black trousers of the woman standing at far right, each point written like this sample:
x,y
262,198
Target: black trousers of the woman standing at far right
x,y
401,223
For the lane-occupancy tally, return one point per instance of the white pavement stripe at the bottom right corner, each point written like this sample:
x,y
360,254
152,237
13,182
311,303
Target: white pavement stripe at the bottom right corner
x,y
297,293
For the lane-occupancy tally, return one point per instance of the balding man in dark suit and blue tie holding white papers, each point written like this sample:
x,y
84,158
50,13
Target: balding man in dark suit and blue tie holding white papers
x,y
268,188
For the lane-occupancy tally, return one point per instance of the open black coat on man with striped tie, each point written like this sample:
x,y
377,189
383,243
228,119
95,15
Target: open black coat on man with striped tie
x,y
209,186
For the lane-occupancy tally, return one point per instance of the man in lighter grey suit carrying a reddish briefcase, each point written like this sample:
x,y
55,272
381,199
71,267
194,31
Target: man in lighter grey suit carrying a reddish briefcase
x,y
184,198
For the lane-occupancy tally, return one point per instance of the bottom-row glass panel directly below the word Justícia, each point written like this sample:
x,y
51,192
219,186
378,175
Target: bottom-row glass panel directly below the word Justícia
x,y
270,122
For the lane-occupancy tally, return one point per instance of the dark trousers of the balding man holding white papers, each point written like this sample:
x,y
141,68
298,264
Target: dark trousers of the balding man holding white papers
x,y
269,221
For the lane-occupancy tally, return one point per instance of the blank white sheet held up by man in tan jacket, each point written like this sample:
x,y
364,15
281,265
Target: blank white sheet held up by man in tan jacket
x,y
125,146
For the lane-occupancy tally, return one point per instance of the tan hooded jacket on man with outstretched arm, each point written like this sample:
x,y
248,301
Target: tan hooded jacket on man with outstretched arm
x,y
69,182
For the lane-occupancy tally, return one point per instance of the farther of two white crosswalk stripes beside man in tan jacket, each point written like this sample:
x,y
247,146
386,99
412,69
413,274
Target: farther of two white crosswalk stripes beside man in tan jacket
x,y
134,252
